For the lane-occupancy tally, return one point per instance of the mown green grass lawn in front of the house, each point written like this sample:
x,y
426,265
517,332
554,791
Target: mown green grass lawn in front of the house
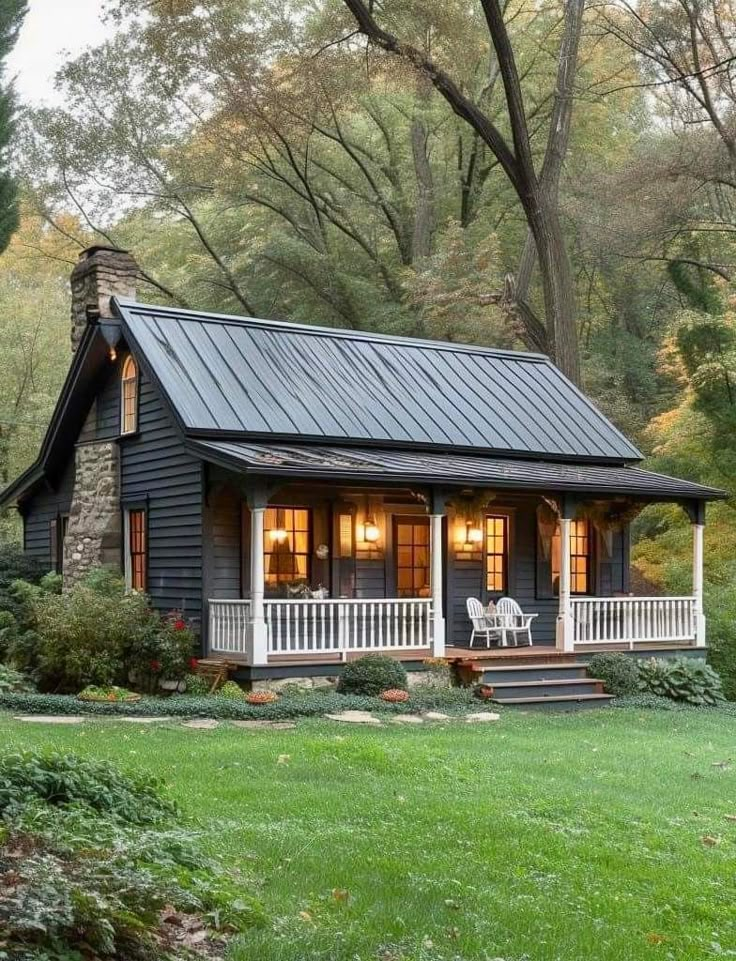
x,y
549,838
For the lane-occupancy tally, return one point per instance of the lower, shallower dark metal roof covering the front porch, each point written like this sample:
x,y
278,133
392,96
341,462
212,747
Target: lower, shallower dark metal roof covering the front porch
x,y
376,465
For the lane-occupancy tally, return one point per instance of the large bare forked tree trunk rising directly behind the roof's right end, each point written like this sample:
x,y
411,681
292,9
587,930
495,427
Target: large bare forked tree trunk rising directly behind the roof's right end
x,y
537,190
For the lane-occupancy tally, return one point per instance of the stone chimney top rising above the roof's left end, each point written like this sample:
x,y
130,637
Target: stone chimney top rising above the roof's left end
x,y
101,273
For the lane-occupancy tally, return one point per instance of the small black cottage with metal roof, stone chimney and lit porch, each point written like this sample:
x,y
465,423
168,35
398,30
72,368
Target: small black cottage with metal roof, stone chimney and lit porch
x,y
306,493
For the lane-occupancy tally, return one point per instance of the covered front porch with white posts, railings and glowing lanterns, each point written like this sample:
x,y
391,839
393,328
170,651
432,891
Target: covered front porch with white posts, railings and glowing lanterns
x,y
319,573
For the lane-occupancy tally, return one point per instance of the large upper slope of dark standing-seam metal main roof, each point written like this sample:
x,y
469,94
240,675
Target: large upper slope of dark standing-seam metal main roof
x,y
256,377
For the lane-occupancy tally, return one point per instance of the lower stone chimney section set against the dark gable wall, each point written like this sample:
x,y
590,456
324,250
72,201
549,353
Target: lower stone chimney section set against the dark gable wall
x,y
94,534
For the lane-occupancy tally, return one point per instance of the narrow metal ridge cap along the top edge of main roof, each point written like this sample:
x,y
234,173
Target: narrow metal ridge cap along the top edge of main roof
x,y
344,333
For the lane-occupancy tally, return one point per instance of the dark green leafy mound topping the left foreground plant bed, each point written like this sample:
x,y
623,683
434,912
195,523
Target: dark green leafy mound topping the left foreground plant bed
x,y
64,779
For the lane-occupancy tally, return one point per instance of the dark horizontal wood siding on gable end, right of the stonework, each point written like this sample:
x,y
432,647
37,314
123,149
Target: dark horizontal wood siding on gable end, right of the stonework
x,y
158,473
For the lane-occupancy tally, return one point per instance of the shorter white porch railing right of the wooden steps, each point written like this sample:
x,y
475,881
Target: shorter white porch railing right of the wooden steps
x,y
631,620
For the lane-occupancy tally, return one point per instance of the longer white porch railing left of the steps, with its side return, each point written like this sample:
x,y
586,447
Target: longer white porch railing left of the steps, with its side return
x,y
338,626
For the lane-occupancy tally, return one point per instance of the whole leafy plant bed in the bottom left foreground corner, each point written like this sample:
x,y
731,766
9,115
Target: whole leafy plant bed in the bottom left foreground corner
x,y
95,859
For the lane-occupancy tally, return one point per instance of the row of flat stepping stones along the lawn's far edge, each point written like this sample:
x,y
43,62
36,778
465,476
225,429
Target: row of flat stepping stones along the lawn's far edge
x,y
209,724
